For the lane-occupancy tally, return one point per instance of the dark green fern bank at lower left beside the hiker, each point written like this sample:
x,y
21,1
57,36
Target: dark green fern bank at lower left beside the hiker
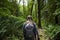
x,y
10,25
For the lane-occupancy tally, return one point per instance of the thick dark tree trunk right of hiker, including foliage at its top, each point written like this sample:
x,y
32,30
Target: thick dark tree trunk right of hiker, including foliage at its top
x,y
40,6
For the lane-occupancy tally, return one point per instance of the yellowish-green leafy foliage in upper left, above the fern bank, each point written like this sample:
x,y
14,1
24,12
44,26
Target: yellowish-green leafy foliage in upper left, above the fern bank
x,y
12,6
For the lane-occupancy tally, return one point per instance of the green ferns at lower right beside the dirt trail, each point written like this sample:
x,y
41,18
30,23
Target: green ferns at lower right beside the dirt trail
x,y
52,30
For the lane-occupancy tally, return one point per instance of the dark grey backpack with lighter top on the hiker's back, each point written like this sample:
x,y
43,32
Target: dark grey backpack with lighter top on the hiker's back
x,y
29,27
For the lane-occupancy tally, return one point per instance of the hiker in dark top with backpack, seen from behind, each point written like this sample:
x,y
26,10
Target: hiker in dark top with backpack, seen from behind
x,y
29,29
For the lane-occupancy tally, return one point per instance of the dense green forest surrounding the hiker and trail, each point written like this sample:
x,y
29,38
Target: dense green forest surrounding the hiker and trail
x,y
13,13
